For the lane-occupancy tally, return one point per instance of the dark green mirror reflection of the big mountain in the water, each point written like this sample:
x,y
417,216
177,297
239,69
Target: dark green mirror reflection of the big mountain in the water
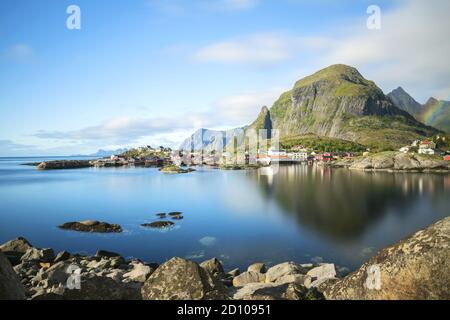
x,y
341,204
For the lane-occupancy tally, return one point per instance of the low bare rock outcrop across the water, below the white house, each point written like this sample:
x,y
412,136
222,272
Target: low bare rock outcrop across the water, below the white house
x,y
394,161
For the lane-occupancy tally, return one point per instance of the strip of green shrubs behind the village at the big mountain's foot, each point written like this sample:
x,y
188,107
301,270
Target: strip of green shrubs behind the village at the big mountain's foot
x,y
320,144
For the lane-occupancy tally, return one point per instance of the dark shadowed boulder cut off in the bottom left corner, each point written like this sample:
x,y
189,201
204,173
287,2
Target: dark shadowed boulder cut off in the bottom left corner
x,y
10,286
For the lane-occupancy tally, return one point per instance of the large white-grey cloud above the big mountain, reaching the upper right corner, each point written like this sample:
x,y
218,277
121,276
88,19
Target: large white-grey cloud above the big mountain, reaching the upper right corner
x,y
410,50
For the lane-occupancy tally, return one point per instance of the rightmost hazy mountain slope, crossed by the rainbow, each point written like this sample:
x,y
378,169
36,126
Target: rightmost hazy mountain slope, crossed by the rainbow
x,y
436,113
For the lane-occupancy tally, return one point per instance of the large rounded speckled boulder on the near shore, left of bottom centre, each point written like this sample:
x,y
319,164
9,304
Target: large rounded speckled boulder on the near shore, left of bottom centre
x,y
180,279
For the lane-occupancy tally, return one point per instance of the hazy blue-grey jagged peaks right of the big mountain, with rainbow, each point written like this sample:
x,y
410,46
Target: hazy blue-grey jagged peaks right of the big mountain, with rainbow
x,y
435,113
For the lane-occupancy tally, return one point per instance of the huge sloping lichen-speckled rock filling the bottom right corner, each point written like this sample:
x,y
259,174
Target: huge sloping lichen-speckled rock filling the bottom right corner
x,y
417,268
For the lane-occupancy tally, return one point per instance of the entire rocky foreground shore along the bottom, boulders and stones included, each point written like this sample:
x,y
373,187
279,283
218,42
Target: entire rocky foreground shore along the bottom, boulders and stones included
x,y
415,268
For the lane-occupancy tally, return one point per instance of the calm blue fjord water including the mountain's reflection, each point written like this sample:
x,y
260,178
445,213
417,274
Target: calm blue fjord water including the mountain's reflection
x,y
301,213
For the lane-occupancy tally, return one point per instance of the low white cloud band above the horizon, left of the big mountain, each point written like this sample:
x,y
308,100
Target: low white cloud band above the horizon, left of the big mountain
x,y
229,111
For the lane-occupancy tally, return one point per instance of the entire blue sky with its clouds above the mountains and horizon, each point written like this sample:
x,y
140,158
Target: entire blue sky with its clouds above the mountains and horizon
x,y
150,72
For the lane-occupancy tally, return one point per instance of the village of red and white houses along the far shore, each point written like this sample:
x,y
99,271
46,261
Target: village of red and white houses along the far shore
x,y
161,156
